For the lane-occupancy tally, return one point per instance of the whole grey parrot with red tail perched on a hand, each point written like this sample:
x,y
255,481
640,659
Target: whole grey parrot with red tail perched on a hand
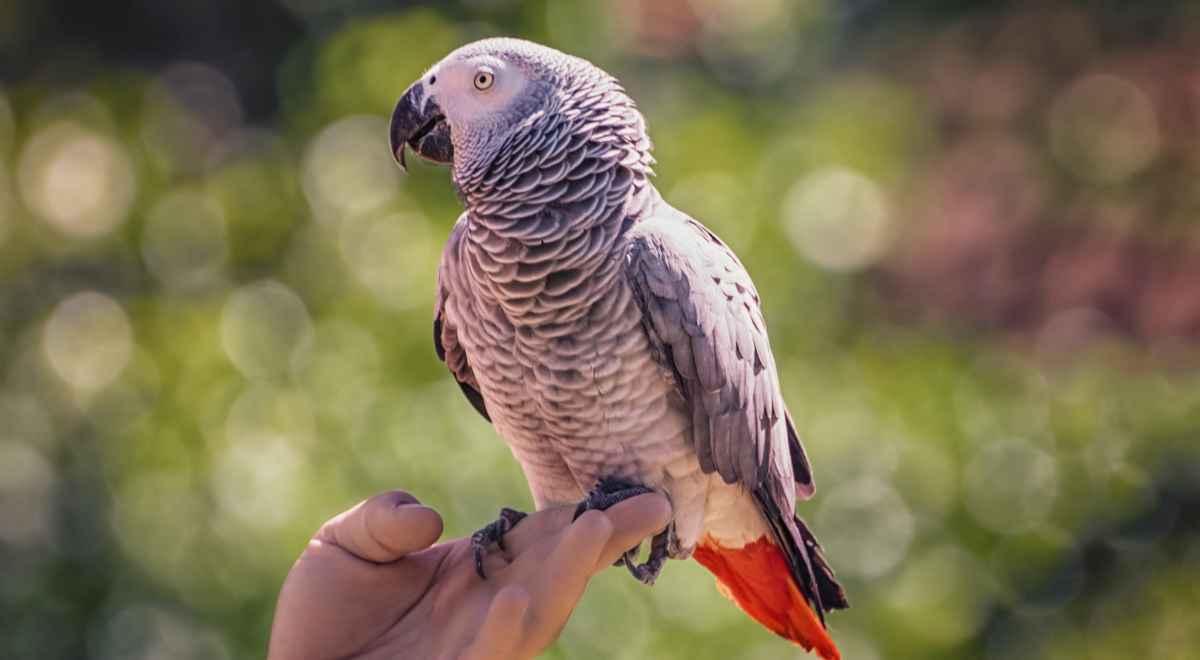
x,y
616,344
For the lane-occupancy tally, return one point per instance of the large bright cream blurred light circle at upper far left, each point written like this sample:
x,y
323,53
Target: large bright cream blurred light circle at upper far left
x,y
81,183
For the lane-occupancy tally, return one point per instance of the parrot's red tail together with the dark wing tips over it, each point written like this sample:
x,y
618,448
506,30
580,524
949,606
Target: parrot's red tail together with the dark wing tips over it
x,y
782,580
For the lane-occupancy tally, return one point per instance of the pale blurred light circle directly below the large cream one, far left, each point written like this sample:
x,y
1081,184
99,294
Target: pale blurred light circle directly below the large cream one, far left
x,y
88,341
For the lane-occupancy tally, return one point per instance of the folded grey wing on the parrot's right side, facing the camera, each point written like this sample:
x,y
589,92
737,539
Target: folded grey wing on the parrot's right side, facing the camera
x,y
701,311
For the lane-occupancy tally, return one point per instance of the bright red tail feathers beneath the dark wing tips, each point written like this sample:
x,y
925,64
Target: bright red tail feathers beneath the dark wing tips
x,y
758,580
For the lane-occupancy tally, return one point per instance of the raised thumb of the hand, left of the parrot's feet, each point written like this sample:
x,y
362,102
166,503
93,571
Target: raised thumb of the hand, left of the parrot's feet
x,y
385,529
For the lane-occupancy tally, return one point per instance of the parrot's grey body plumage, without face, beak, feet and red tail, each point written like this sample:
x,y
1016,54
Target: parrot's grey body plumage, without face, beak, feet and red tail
x,y
605,333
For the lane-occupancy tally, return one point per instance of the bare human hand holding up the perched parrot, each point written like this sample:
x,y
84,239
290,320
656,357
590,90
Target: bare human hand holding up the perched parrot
x,y
374,584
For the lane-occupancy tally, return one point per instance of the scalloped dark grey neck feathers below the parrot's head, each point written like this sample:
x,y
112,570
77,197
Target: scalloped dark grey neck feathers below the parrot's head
x,y
547,219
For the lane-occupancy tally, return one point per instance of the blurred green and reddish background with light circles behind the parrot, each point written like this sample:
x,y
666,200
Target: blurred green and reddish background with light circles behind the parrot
x,y
975,227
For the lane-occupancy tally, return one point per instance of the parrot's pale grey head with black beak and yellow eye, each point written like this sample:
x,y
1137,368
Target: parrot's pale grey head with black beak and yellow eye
x,y
496,95
